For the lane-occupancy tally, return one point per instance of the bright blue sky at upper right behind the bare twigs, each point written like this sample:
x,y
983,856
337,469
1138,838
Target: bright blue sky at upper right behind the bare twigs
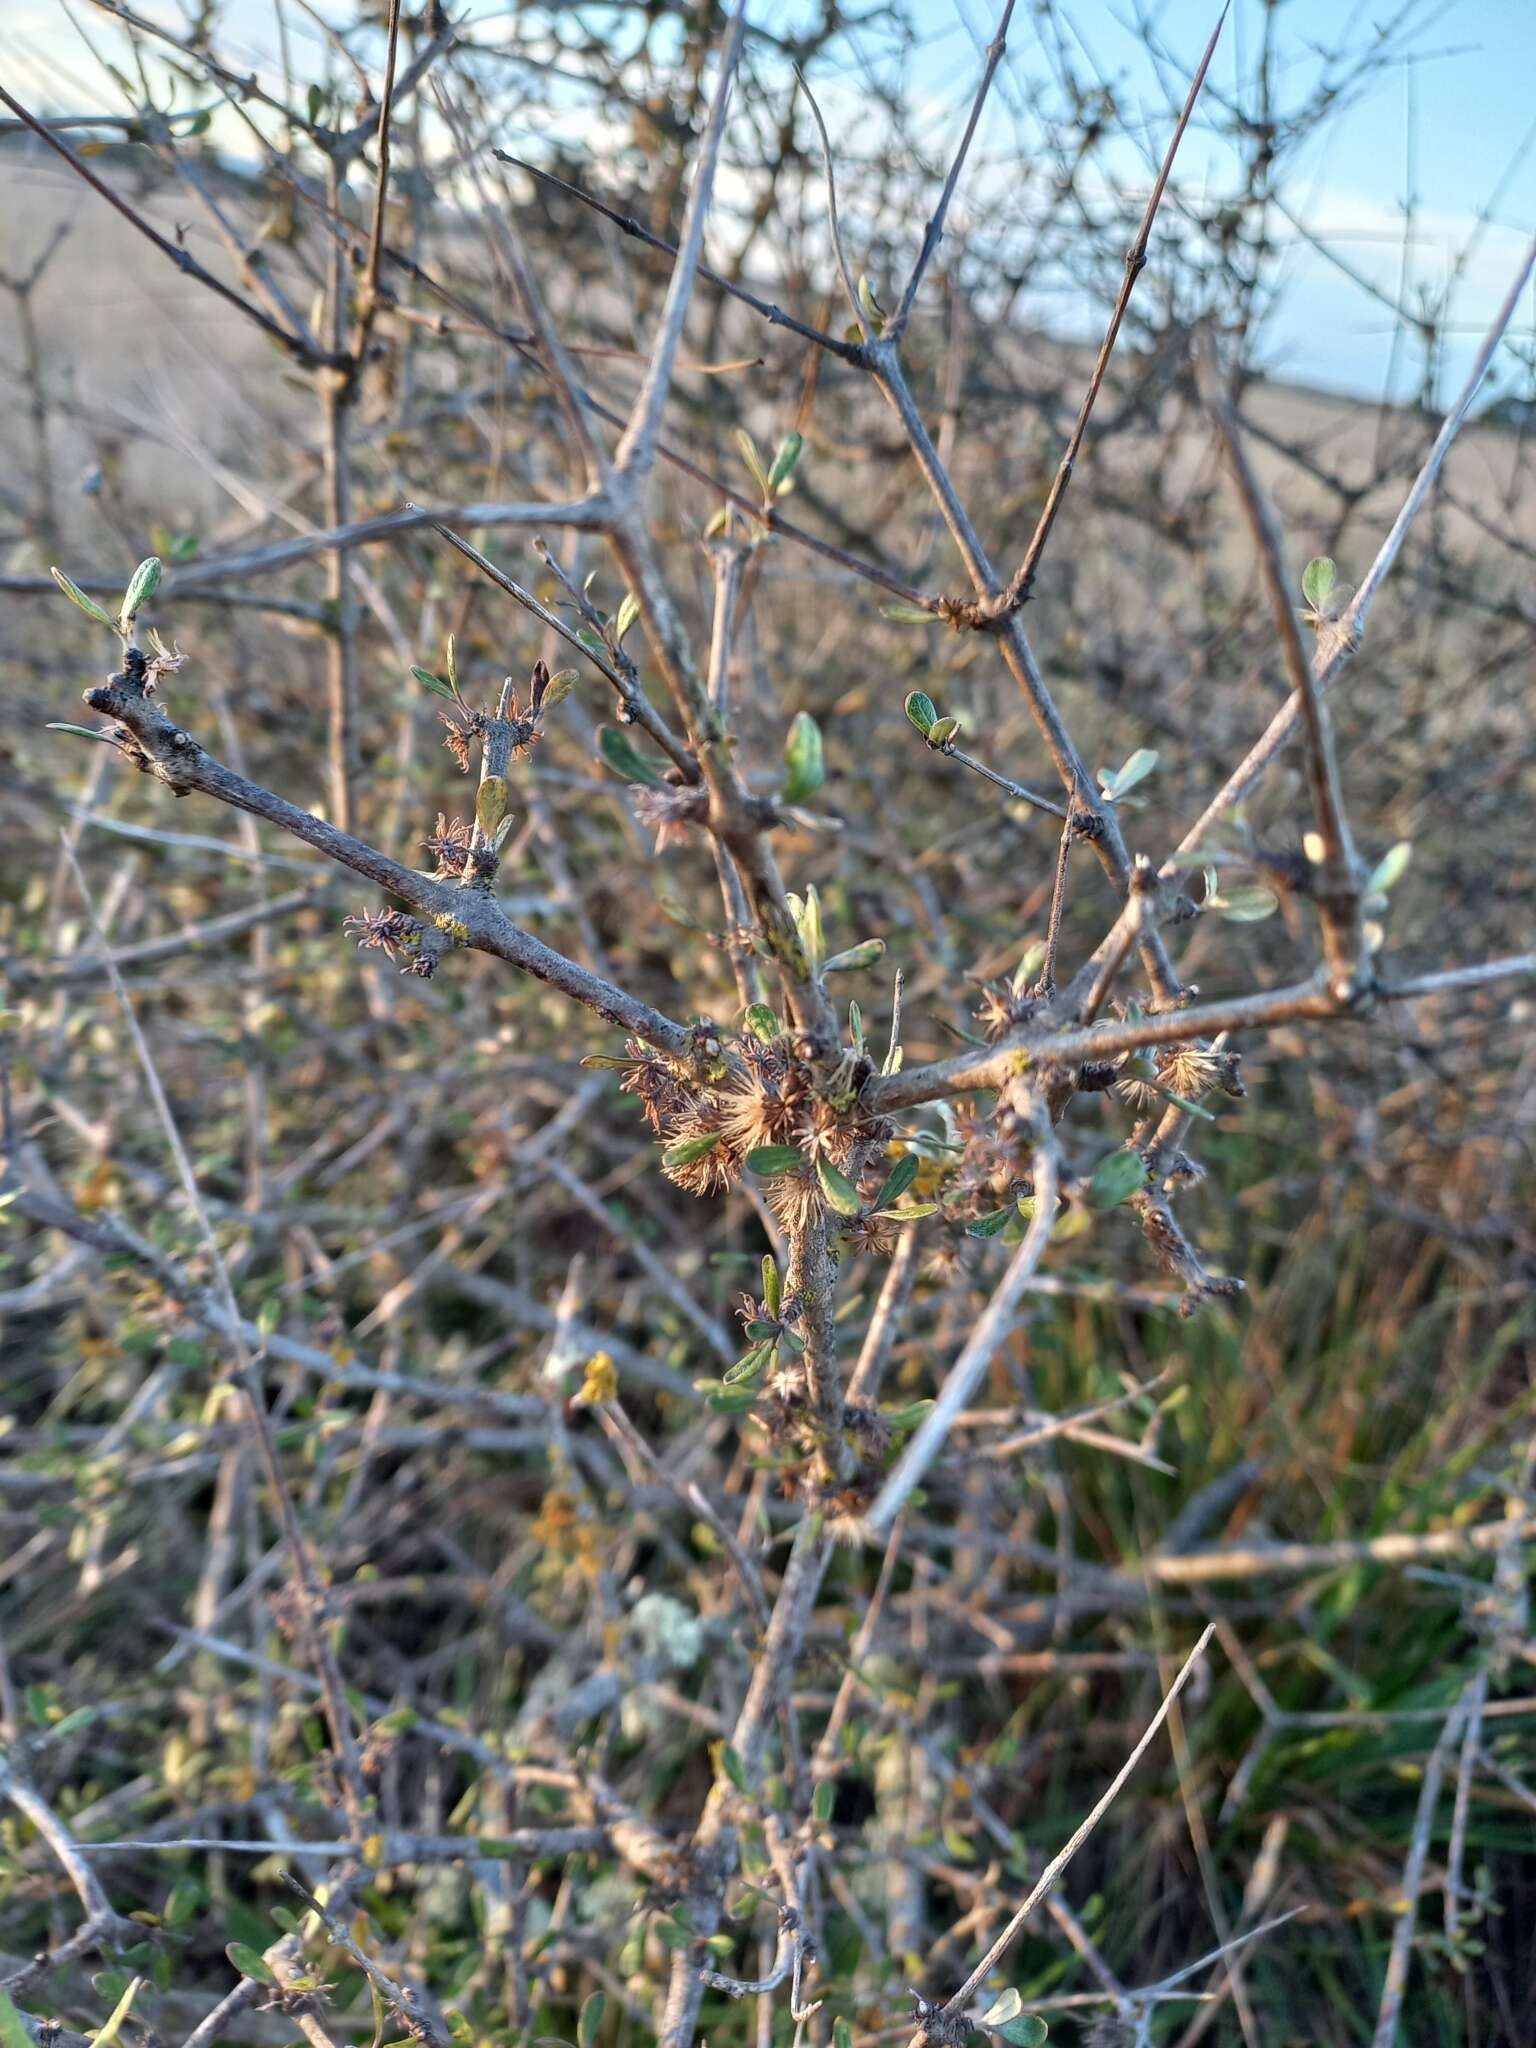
x,y
1457,124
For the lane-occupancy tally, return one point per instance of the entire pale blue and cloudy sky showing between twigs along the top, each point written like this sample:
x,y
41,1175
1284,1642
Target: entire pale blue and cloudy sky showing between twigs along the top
x,y
1465,97
